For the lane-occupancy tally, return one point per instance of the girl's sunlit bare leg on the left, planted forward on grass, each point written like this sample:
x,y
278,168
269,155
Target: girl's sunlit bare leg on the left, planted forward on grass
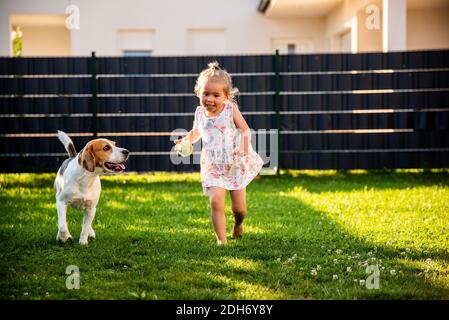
x,y
217,205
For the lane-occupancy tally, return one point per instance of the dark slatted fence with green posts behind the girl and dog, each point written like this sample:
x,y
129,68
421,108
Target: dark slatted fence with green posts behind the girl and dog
x,y
340,111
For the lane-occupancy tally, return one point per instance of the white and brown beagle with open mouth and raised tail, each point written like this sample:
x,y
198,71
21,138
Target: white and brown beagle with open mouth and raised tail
x,y
77,183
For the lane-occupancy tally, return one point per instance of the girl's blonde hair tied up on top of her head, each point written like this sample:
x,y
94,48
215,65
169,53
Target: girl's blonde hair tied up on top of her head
x,y
215,71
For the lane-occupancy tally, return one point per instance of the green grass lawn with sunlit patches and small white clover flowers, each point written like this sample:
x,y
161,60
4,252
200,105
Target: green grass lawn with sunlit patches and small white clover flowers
x,y
309,235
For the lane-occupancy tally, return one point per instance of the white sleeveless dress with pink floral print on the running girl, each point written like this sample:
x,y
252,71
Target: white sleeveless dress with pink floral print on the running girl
x,y
219,166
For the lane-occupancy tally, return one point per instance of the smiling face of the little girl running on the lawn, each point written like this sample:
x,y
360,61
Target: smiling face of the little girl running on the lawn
x,y
212,96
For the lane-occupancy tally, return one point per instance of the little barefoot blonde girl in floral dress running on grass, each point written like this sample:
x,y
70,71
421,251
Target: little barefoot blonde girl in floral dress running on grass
x,y
228,162
